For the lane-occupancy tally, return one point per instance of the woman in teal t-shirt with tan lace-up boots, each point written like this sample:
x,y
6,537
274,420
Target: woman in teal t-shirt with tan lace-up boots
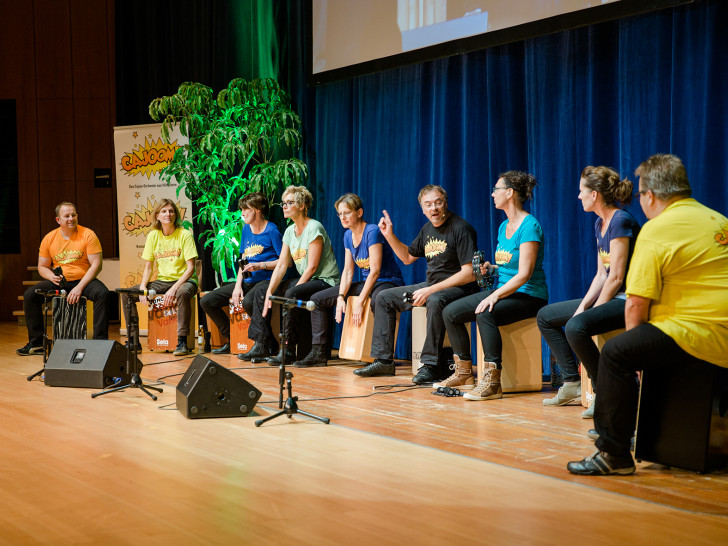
x,y
520,293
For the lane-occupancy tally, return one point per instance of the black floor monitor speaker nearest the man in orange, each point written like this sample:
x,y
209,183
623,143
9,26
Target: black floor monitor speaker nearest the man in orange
x,y
92,363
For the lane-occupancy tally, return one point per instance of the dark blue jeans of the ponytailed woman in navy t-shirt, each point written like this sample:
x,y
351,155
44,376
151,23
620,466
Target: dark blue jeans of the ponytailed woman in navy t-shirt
x,y
565,332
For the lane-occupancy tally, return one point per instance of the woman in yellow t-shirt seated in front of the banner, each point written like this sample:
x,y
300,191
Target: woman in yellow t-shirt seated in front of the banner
x,y
173,249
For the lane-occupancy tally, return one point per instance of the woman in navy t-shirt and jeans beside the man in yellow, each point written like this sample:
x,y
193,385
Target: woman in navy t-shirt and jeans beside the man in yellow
x,y
568,326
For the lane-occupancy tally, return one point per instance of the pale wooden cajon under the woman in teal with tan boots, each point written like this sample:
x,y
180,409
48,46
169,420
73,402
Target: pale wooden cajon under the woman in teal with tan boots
x,y
522,367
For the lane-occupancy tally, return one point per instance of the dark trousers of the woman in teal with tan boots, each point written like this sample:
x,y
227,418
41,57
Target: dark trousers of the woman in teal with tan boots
x,y
517,306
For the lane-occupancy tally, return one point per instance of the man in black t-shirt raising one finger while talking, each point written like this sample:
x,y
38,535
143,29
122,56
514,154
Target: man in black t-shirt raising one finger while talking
x,y
448,243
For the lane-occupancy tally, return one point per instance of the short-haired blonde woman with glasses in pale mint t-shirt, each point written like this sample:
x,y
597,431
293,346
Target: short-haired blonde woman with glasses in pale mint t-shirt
x,y
308,245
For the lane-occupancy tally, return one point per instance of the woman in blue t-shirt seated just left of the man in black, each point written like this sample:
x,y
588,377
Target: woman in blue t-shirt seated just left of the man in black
x,y
366,249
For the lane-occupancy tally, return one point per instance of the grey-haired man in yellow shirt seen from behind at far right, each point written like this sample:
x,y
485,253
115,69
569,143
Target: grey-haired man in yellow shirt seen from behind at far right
x,y
676,310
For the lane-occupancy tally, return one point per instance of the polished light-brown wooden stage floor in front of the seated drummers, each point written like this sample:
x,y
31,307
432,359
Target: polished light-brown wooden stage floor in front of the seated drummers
x,y
403,465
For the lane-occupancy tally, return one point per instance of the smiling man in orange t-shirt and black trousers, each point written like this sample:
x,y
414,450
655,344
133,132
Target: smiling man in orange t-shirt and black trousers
x,y
77,251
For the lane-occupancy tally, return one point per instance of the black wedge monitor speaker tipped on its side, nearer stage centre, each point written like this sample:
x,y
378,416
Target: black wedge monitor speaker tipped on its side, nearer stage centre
x,y
210,390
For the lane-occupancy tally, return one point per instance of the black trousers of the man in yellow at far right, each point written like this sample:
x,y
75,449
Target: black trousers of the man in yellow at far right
x,y
645,347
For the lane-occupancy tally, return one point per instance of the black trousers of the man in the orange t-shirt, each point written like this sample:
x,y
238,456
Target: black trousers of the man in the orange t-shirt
x,y
94,291
